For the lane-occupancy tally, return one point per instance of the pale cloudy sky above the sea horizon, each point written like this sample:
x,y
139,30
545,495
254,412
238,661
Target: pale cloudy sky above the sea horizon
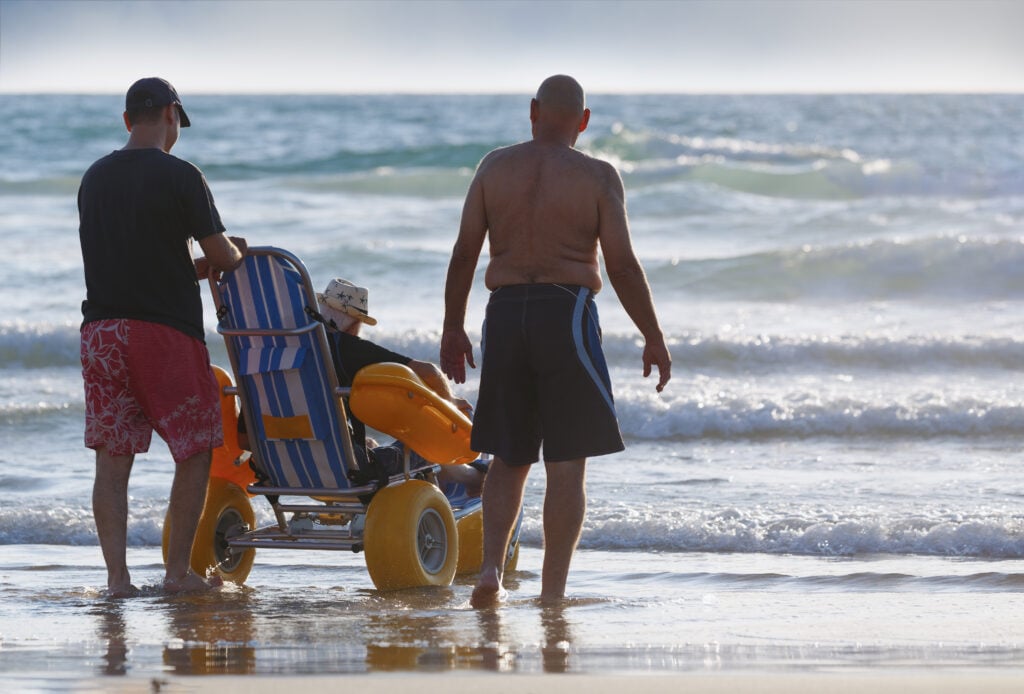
x,y
508,47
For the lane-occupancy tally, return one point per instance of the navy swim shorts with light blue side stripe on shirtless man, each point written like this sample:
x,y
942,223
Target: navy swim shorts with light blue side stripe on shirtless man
x,y
544,378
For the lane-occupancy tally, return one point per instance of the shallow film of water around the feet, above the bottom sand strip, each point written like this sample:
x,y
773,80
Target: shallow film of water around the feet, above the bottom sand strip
x,y
318,614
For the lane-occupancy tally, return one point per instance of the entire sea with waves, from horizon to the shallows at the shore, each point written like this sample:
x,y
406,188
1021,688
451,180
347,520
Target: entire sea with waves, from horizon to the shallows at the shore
x,y
831,478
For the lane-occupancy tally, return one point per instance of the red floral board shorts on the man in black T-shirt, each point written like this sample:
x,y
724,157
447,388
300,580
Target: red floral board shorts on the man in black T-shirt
x,y
142,377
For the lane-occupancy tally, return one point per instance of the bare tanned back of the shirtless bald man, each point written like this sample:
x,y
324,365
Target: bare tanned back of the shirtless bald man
x,y
542,203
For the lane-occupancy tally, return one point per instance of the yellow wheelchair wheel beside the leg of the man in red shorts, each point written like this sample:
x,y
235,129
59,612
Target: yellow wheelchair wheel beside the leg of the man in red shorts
x,y
228,512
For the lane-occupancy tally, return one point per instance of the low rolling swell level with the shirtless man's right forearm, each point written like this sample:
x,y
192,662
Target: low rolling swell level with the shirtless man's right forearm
x,y
948,268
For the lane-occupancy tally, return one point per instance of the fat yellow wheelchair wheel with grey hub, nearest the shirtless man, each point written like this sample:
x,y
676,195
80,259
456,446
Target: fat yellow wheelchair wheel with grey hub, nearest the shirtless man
x,y
411,538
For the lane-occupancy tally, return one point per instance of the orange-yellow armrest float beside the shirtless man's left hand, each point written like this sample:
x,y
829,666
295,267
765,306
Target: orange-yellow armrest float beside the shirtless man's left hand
x,y
391,399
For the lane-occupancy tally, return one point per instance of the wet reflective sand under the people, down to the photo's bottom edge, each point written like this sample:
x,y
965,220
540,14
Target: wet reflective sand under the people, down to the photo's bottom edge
x,y
321,625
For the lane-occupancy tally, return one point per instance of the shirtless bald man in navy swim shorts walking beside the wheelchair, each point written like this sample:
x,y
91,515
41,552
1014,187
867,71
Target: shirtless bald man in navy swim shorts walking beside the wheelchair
x,y
547,209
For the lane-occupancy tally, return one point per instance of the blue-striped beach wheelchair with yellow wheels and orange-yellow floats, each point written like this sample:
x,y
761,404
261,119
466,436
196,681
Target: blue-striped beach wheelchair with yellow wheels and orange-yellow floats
x,y
303,460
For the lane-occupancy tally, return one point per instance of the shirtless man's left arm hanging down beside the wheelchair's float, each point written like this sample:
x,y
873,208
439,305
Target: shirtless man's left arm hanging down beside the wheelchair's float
x,y
457,350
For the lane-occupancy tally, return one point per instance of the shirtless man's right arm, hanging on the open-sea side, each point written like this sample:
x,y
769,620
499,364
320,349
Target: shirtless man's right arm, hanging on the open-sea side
x,y
627,276
